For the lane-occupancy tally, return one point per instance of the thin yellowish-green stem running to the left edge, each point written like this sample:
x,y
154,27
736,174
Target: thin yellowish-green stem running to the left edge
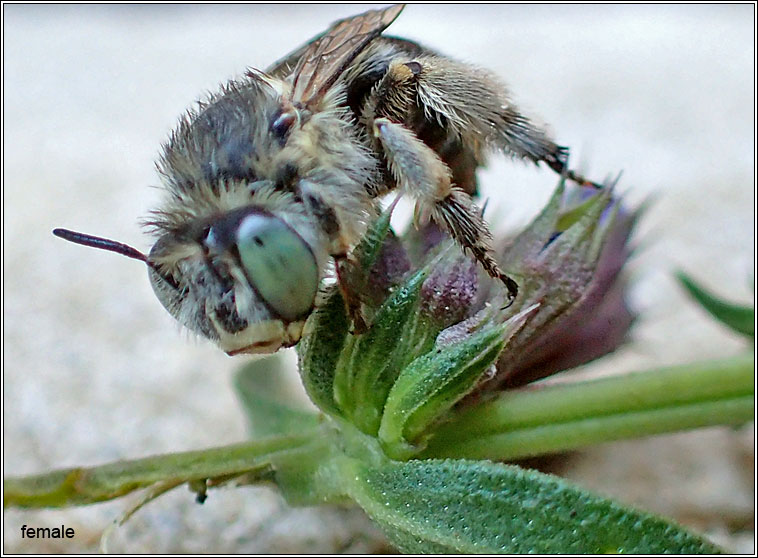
x,y
78,486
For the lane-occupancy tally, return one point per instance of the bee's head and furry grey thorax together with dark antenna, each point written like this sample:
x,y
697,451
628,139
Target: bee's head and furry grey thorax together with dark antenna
x,y
259,191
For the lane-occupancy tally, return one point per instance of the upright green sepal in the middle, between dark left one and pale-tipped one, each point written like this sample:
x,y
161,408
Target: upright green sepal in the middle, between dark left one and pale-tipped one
x,y
370,363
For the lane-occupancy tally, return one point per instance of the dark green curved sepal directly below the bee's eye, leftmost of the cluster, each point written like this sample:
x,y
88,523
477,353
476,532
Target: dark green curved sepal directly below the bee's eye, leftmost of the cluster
x,y
325,334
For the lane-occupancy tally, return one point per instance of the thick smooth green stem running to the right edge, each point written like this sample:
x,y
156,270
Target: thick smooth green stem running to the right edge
x,y
530,421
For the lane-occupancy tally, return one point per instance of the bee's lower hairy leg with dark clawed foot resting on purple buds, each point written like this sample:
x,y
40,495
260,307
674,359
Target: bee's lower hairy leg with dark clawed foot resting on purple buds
x,y
419,171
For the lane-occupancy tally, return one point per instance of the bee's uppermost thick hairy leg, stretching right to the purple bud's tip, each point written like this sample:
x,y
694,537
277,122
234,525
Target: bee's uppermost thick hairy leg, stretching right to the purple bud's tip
x,y
474,105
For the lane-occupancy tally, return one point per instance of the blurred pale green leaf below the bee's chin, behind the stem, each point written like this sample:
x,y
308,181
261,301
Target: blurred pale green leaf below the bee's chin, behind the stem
x,y
262,388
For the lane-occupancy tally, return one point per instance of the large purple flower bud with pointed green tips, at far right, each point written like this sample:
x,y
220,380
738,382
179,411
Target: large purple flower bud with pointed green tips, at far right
x,y
570,259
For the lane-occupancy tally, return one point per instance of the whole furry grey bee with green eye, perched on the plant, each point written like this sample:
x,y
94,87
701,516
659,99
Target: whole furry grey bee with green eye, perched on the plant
x,y
276,176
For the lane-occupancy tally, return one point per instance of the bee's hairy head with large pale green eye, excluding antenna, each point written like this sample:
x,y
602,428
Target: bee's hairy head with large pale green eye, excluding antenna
x,y
247,281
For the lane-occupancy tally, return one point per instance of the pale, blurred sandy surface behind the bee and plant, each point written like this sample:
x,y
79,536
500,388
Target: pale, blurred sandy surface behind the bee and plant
x,y
95,370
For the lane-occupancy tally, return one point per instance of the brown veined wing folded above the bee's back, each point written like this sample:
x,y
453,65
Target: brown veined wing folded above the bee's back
x,y
328,55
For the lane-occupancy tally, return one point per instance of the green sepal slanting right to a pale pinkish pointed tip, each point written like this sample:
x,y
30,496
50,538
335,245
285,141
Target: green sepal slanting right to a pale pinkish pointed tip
x,y
431,384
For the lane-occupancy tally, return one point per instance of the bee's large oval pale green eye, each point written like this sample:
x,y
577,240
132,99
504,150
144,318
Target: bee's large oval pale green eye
x,y
279,264
